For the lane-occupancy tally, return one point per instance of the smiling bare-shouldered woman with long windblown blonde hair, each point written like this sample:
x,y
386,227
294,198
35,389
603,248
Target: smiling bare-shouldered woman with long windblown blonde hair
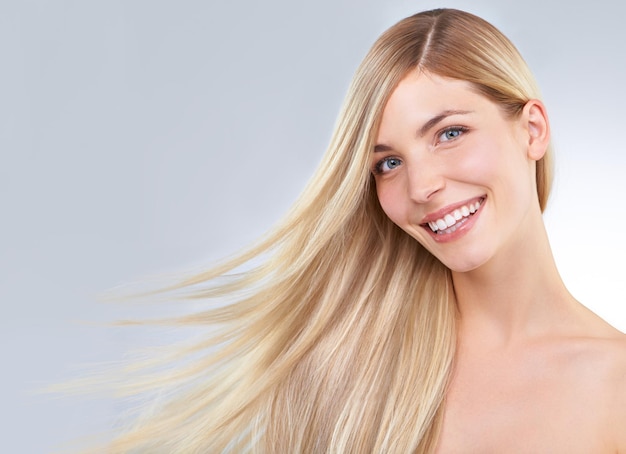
x,y
409,302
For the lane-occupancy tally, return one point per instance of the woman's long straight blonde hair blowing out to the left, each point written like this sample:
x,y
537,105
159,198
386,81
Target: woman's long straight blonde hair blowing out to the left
x,y
342,340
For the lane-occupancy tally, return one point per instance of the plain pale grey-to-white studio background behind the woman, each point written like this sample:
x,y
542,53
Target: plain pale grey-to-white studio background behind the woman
x,y
143,137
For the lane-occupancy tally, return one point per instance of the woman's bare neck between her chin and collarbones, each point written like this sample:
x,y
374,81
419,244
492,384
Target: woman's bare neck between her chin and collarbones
x,y
516,296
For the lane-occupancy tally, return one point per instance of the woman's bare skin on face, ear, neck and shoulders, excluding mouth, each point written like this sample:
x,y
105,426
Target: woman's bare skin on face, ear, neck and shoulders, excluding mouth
x,y
535,371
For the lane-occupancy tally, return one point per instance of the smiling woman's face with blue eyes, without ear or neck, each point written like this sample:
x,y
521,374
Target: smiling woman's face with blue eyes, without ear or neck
x,y
453,171
